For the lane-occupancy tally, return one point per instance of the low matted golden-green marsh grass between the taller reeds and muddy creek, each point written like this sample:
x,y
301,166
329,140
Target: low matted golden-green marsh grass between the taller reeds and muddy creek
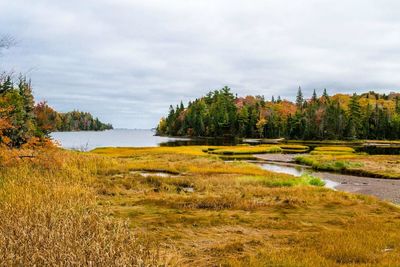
x,y
236,214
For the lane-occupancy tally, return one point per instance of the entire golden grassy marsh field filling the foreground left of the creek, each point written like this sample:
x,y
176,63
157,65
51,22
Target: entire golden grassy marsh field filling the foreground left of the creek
x,y
181,206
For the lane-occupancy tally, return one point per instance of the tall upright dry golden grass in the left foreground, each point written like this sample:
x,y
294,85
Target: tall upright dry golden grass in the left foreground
x,y
49,216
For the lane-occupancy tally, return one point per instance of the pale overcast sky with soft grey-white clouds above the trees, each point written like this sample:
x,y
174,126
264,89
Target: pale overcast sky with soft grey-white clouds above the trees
x,y
126,61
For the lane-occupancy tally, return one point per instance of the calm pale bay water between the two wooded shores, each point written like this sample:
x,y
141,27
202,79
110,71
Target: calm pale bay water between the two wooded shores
x,y
126,138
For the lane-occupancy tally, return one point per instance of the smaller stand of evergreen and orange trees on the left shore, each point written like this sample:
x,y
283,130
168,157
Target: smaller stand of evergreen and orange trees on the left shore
x,y
23,122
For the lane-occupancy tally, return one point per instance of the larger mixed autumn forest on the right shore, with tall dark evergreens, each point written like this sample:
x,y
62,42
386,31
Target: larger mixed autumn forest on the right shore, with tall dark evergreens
x,y
338,117
